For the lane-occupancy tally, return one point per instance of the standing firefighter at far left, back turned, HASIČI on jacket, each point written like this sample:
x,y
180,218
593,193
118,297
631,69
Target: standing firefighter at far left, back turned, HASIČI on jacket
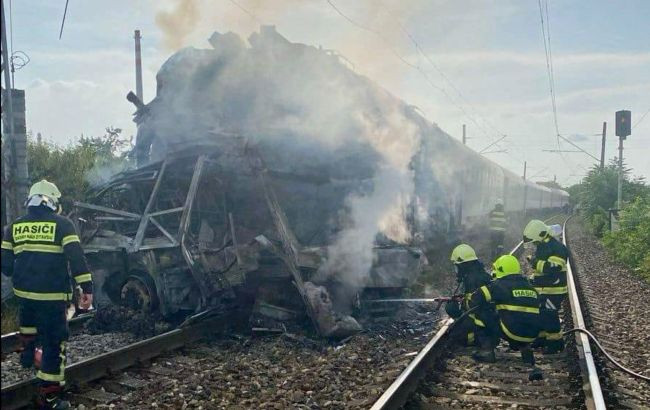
x,y
36,251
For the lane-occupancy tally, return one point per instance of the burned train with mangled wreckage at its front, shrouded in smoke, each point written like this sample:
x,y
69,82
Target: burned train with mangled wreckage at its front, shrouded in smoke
x,y
271,175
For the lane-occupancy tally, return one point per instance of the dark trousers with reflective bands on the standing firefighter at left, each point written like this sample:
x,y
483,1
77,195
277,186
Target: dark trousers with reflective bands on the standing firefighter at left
x,y
45,322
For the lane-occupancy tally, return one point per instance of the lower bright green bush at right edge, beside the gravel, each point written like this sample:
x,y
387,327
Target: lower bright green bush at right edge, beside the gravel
x,y
631,244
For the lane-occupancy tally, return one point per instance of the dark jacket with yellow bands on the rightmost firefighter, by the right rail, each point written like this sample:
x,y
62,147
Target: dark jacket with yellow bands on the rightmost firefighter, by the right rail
x,y
549,263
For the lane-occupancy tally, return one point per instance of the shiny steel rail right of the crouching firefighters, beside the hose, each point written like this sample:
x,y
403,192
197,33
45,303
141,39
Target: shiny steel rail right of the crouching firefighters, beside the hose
x,y
591,384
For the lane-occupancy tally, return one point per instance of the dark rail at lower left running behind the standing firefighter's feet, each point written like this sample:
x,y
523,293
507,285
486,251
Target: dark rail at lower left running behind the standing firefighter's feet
x,y
22,394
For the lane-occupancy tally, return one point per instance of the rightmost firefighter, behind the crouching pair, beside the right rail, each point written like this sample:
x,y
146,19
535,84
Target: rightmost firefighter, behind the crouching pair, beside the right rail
x,y
549,280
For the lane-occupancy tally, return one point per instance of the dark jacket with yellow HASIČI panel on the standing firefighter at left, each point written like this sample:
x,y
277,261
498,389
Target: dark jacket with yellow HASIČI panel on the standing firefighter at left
x,y
36,251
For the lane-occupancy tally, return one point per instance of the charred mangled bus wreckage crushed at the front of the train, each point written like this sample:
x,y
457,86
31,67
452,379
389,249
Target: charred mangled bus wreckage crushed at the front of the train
x,y
206,226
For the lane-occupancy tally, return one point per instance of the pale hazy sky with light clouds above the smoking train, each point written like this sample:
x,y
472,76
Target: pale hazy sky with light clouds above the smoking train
x,y
476,62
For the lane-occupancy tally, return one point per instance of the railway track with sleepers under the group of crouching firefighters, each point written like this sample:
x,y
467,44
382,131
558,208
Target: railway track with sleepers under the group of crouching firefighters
x,y
443,377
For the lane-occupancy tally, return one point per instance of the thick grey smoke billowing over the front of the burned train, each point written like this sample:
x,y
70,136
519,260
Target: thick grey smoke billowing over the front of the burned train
x,y
308,114
